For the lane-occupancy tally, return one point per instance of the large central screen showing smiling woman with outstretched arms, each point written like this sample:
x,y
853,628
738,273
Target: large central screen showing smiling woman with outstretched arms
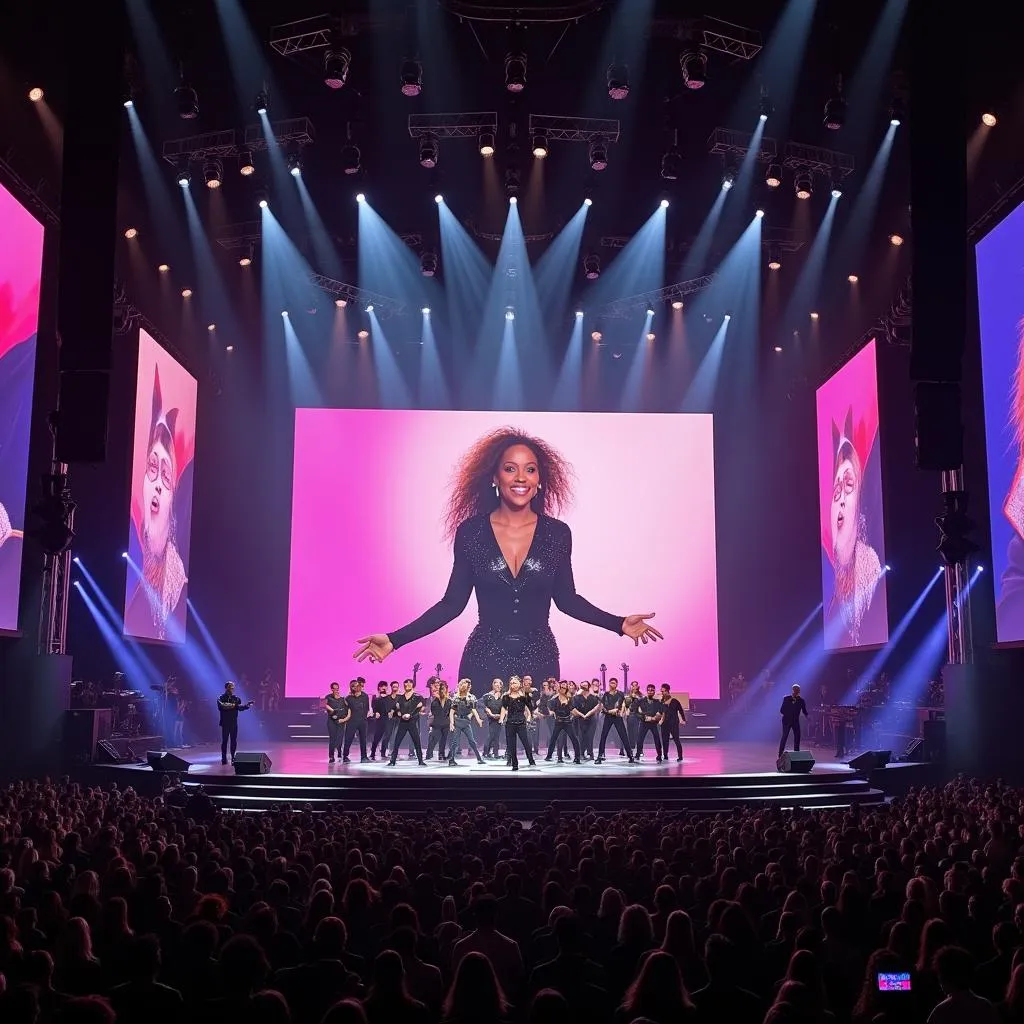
x,y
628,528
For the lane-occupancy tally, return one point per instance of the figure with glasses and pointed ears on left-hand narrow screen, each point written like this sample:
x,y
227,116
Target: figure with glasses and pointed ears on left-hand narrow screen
x,y
158,605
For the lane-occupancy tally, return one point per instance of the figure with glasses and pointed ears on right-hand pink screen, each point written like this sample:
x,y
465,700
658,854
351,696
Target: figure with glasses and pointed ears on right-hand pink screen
x,y
857,564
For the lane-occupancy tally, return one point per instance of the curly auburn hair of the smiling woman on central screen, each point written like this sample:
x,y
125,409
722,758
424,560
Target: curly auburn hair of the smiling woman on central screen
x,y
474,494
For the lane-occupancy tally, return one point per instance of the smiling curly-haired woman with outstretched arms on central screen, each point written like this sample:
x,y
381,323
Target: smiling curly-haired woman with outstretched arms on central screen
x,y
517,558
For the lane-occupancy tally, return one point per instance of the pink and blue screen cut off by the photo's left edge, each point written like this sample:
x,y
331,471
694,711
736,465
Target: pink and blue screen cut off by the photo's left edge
x,y
21,271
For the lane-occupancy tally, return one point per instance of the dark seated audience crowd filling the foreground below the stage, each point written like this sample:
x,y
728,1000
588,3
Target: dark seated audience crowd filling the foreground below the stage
x,y
118,908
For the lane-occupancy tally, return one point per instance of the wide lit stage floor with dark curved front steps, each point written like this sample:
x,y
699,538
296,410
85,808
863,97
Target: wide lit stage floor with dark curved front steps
x,y
713,778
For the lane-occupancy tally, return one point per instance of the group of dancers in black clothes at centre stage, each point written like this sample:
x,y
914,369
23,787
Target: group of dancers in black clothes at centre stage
x,y
569,713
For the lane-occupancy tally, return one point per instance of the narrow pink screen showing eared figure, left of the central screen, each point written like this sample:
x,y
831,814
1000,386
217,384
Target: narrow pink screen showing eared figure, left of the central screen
x,y
163,450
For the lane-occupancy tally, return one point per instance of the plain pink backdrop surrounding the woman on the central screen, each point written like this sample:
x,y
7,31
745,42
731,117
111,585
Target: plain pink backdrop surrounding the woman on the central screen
x,y
369,553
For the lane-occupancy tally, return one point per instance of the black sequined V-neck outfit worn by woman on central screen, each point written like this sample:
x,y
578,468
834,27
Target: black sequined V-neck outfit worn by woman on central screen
x,y
514,637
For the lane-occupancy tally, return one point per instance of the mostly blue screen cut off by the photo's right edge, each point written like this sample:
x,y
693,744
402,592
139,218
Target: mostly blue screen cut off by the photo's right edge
x,y
1001,308
